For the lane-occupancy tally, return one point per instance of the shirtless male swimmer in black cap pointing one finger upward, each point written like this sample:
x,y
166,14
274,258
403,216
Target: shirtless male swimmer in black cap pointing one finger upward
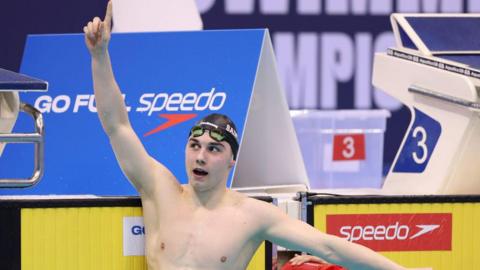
x,y
189,226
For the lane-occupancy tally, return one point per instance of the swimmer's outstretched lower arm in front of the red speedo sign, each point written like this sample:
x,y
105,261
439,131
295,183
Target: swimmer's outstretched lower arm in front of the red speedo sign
x,y
297,235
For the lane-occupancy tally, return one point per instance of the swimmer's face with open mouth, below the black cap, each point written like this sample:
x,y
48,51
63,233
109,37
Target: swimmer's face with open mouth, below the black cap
x,y
208,162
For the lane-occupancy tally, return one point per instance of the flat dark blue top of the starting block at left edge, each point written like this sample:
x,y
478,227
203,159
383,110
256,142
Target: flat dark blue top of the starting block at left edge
x,y
12,81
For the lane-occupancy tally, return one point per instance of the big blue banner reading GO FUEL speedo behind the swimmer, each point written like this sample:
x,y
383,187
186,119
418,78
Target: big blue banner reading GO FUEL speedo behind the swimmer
x,y
169,80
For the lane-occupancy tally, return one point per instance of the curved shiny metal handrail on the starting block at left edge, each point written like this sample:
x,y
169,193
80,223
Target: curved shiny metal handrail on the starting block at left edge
x,y
38,138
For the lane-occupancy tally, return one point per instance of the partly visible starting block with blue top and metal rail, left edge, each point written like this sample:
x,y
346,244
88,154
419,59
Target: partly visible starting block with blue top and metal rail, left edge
x,y
10,106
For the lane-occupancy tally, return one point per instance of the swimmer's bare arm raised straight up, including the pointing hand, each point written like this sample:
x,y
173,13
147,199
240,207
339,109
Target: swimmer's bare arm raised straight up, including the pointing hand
x,y
137,165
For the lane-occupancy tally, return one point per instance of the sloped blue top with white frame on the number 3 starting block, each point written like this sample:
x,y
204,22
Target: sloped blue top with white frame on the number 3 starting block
x,y
448,38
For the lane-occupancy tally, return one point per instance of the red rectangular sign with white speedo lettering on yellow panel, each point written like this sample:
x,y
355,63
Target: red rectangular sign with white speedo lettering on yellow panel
x,y
395,232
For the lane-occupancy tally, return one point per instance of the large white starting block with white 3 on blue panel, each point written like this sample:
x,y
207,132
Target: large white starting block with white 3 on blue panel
x,y
435,71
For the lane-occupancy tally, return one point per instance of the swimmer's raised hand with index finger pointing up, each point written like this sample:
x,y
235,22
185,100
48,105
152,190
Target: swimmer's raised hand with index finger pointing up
x,y
97,33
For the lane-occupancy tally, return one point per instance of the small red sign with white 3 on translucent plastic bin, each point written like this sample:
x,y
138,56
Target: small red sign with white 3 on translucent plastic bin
x,y
348,147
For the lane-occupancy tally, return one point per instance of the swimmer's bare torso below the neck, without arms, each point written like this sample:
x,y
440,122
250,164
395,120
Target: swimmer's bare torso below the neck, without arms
x,y
183,236
